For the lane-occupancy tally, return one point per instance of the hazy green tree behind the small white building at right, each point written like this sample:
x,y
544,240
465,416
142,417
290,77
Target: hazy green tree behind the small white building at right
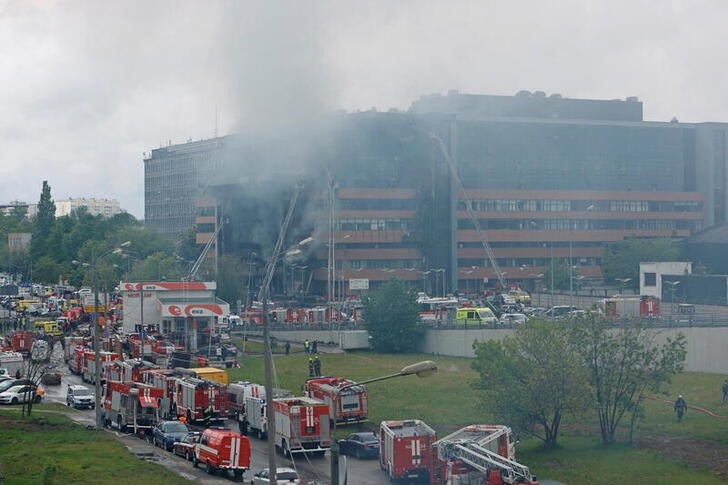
x,y
622,259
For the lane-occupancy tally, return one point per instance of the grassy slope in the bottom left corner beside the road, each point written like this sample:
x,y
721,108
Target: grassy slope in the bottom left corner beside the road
x,y
50,449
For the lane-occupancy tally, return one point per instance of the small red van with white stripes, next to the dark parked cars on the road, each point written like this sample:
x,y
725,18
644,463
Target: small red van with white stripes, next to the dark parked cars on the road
x,y
222,449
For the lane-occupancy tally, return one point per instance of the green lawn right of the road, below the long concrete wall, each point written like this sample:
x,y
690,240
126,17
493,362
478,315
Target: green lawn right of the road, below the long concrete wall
x,y
446,401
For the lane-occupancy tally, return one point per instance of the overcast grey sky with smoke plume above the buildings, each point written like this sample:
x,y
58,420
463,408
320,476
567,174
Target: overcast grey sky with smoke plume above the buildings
x,y
87,87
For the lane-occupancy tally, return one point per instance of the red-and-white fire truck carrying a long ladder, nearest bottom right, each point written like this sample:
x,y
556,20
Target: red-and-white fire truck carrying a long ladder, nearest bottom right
x,y
477,455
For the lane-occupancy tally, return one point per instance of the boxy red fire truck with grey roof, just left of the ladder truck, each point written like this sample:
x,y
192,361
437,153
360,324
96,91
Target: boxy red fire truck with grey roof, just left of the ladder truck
x,y
405,448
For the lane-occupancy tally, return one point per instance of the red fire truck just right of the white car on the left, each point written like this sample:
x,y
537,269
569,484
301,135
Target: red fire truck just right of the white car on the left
x,y
131,406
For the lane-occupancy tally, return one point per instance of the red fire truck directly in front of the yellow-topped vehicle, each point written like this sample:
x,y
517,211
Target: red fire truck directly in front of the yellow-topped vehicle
x,y
199,399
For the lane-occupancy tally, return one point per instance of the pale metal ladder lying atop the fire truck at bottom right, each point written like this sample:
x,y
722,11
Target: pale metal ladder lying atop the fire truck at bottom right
x,y
484,460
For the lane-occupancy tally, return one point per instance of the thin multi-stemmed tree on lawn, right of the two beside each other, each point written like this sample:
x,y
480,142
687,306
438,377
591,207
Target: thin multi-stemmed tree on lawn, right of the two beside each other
x,y
623,364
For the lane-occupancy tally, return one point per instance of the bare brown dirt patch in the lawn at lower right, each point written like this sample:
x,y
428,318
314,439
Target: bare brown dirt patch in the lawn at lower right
x,y
700,453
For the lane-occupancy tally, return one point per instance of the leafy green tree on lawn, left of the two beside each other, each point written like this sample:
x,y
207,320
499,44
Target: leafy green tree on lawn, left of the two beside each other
x,y
533,379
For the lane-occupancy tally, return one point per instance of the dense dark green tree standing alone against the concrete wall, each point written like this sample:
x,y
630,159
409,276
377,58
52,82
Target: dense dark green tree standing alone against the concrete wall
x,y
392,318
